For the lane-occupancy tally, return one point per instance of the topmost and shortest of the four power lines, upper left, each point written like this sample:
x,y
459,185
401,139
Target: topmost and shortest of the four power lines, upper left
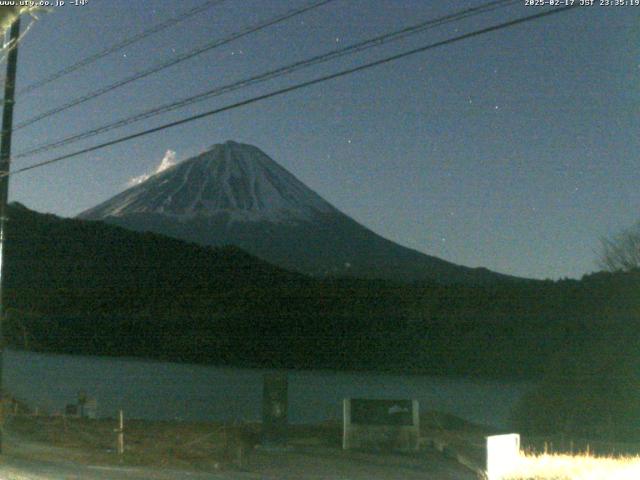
x,y
119,46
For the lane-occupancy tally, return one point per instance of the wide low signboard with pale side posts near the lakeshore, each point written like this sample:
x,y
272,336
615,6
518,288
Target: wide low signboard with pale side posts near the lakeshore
x,y
387,424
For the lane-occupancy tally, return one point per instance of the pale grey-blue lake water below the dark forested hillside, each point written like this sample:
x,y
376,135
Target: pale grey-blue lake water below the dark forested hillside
x,y
167,391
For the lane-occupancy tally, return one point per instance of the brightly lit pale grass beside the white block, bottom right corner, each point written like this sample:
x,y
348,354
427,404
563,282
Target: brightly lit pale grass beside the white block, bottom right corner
x,y
575,467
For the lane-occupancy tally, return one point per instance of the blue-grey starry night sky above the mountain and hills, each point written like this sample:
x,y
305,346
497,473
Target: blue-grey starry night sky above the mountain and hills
x,y
516,150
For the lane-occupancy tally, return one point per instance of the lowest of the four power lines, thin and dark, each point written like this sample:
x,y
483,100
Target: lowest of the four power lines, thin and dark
x,y
298,86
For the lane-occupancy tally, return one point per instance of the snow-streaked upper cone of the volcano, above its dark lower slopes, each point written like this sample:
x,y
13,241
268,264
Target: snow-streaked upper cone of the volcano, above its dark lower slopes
x,y
230,178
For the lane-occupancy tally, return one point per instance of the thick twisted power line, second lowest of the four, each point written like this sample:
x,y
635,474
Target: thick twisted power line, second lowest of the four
x,y
269,75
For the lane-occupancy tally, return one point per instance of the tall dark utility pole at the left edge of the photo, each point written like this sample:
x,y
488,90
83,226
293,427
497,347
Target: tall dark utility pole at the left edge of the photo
x,y
5,163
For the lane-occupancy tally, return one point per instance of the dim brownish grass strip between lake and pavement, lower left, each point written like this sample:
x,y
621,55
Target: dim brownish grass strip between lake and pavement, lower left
x,y
203,446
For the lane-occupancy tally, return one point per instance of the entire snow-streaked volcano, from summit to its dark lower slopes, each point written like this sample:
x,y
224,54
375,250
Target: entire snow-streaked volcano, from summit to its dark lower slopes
x,y
234,194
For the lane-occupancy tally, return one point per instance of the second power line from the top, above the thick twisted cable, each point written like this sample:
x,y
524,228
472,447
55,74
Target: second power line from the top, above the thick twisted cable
x,y
174,61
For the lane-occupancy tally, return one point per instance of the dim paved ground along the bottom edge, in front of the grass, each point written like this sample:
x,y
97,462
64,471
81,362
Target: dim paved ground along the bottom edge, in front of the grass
x,y
301,463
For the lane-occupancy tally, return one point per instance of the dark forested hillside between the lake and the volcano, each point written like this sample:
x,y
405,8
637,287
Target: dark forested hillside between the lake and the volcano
x,y
87,287
